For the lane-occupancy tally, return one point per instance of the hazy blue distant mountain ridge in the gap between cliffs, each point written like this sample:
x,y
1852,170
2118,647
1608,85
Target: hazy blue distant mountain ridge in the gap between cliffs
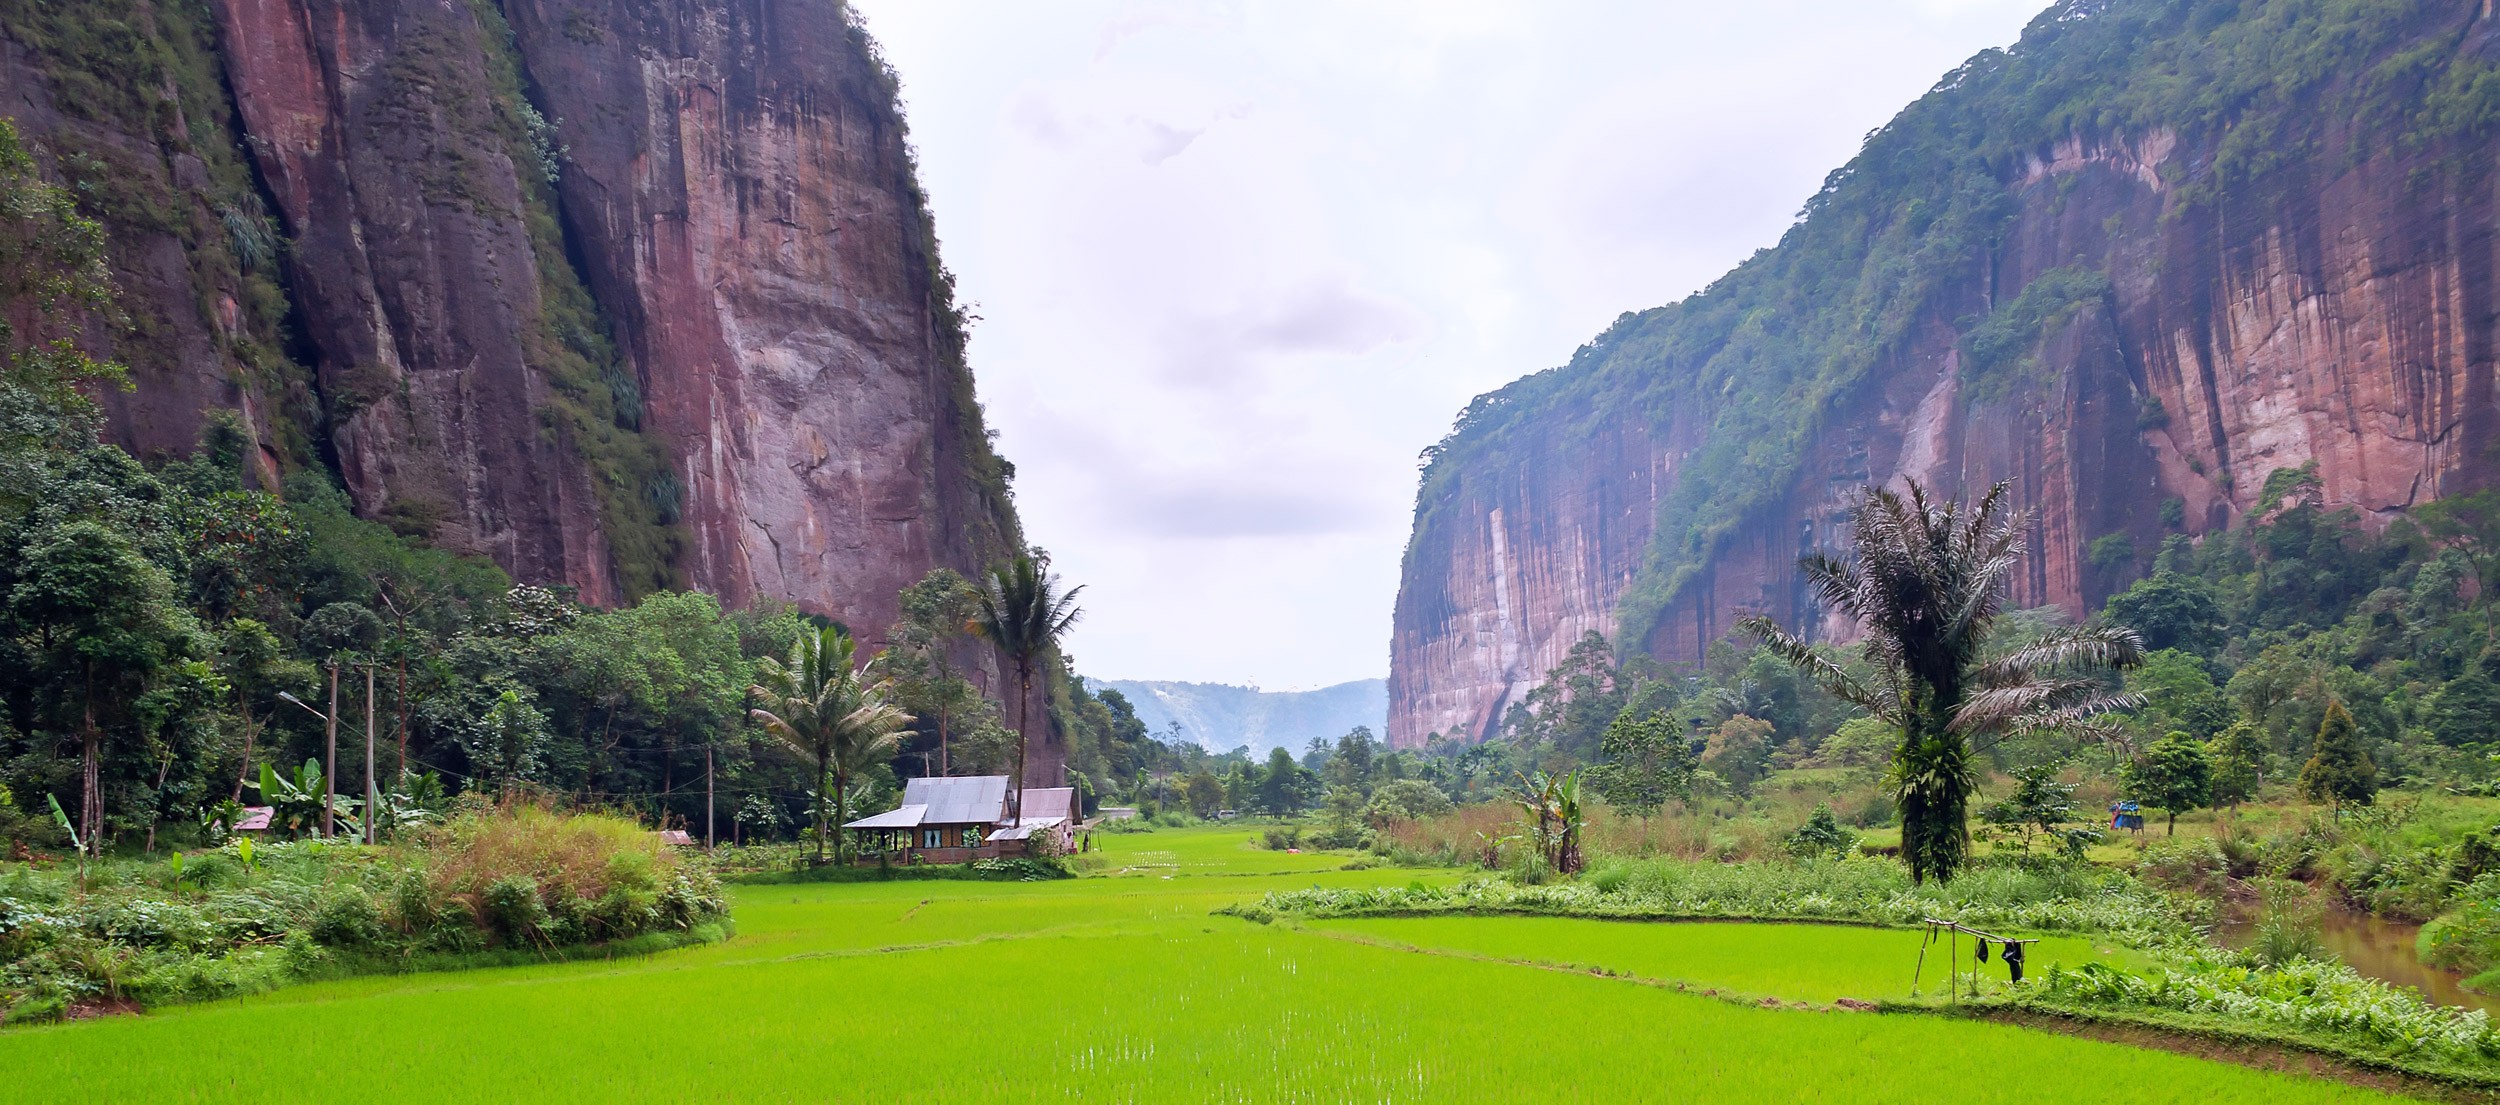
x,y
1224,716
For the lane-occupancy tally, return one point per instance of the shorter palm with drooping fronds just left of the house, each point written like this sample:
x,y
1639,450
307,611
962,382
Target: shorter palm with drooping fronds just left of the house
x,y
826,711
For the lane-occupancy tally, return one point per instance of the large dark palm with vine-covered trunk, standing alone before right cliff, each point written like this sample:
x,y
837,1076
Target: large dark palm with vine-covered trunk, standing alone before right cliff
x,y
1926,584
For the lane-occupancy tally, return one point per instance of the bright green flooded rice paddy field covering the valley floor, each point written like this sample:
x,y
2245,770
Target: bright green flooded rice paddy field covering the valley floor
x,y
1124,989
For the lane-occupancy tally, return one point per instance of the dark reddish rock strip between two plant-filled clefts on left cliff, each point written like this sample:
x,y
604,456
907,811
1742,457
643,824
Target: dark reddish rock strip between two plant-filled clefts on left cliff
x,y
414,271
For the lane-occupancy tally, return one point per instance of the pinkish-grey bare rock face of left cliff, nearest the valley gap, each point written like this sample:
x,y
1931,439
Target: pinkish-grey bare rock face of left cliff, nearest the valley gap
x,y
744,196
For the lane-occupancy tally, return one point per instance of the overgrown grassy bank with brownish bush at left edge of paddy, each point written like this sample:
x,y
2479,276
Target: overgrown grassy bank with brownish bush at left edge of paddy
x,y
251,916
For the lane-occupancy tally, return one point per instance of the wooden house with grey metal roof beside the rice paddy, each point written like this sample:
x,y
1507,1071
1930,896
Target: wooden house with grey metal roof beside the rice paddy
x,y
966,819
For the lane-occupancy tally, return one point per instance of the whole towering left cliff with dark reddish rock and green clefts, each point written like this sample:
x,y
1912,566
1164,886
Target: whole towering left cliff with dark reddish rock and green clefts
x,y
621,296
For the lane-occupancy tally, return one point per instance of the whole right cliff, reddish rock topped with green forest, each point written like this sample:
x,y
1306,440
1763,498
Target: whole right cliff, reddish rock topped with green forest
x,y
2136,264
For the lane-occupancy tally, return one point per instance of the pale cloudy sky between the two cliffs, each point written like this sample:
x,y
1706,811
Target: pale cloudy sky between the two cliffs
x,y
1239,264
